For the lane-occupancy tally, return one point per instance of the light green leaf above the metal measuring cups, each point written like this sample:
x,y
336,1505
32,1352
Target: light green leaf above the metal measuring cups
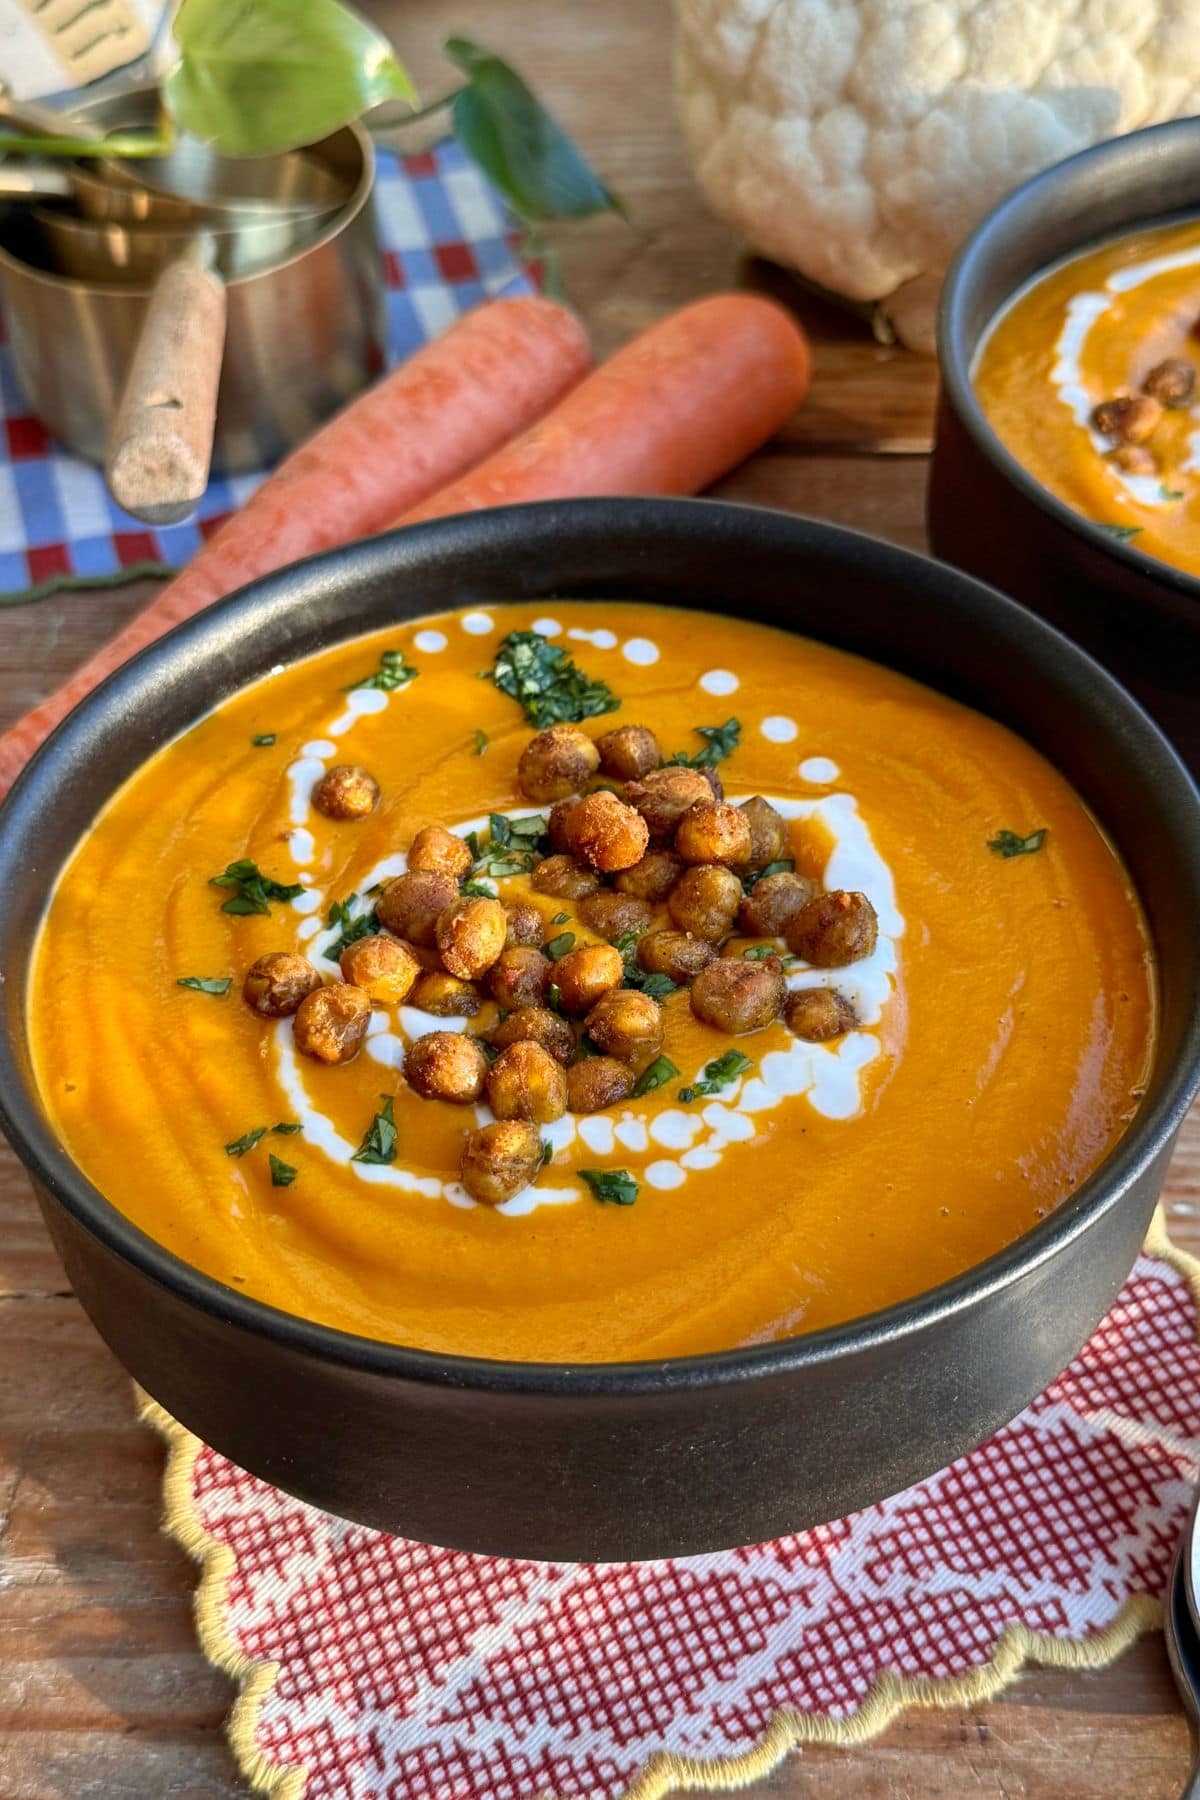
x,y
264,76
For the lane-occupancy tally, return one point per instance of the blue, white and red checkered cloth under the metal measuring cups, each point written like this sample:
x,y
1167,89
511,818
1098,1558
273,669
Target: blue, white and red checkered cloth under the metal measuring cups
x,y
447,244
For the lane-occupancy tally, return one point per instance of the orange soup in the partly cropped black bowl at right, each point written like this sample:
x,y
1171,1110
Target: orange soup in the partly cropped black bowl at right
x,y
1091,381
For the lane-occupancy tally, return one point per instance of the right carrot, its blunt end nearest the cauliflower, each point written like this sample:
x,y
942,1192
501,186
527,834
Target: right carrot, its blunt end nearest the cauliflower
x,y
670,413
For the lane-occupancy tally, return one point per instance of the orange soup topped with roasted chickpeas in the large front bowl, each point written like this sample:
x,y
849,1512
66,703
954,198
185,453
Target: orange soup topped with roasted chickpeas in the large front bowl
x,y
971,1041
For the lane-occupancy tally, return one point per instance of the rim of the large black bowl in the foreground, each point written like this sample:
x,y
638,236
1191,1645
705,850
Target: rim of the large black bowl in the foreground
x,y
53,1169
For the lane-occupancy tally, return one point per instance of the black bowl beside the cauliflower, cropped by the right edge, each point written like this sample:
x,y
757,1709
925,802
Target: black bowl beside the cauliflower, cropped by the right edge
x,y
987,512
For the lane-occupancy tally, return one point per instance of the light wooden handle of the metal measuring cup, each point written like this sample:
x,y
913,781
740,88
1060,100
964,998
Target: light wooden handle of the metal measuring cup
x,y
161,444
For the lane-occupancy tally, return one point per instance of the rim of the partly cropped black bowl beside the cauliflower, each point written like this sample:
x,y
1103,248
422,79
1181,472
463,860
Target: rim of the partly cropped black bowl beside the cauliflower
x,y
954,361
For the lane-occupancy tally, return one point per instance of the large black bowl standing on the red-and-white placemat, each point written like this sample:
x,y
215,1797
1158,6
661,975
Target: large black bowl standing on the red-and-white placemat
x,y
638,1459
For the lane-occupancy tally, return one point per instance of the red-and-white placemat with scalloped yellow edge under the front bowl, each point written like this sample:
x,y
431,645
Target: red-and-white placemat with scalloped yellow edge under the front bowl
x,y
381,1669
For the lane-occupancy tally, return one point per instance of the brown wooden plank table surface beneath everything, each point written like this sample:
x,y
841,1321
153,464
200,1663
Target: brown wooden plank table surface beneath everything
x,y
103,1695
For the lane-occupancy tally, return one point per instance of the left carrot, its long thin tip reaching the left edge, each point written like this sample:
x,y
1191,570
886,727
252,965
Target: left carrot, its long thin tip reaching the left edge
x,y
427,422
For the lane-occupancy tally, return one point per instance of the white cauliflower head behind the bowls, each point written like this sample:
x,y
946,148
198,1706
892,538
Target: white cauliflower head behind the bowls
x,y
859,141
